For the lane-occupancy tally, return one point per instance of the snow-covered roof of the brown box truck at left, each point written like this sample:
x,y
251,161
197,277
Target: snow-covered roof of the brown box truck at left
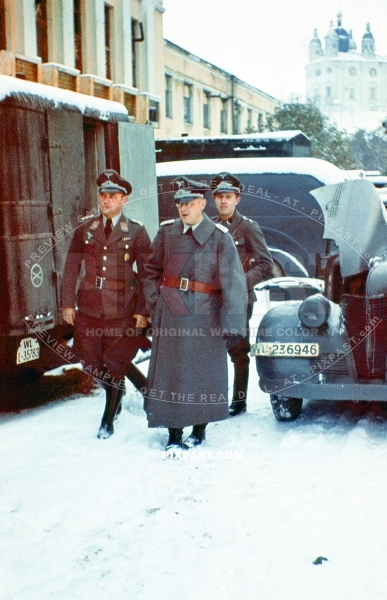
x,y
31,94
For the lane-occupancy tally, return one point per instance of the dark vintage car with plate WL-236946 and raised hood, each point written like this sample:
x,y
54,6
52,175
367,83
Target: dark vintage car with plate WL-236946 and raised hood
x,y
333,346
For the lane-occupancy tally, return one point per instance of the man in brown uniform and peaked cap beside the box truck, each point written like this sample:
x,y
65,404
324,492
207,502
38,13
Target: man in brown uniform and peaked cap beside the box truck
x,y
102,294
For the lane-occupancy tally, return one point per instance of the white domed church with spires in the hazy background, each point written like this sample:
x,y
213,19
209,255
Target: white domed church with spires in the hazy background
x,y
348,86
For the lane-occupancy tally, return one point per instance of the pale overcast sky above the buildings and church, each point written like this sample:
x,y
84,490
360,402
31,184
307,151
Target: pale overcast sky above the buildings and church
x,y
266,42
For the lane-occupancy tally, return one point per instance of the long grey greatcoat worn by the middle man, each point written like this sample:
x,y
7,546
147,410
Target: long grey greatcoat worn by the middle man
x,y
187,379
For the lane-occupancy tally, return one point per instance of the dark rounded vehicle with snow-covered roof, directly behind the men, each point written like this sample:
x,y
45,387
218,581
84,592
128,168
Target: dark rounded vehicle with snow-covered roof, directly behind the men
x,y
275,193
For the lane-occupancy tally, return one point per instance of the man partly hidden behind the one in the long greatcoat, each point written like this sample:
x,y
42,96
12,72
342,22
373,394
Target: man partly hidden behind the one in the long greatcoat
x,y
257,265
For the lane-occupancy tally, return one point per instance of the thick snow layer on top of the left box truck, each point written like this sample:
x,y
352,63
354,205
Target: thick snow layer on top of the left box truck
x,y
12,85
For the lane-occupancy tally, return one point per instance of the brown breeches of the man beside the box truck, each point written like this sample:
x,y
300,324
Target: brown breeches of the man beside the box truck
x,y
105,347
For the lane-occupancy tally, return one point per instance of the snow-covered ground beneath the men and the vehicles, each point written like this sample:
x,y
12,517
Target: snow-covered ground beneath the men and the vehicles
x,y
89,519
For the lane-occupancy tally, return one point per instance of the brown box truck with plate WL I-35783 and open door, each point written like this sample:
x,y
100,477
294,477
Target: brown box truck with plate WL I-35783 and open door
x,y
53,144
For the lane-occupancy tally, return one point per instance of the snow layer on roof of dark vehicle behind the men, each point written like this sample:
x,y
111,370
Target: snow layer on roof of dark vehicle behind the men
x,y
322,170
